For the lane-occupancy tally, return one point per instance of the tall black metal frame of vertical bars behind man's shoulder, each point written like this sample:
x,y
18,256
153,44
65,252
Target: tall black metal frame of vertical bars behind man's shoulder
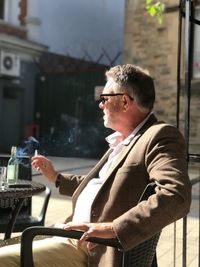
x,y
186,10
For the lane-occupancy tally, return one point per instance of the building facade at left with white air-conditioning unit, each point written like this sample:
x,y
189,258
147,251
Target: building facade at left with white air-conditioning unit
x,y
18,57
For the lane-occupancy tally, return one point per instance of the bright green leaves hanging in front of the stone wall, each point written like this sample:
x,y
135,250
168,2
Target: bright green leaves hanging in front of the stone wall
x,y
155,8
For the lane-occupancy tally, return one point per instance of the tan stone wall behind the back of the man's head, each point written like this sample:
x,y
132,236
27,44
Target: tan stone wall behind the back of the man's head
x,y
154,46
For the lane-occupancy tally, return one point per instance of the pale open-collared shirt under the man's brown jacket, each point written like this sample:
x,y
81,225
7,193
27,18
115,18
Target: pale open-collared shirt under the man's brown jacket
x,y
87,196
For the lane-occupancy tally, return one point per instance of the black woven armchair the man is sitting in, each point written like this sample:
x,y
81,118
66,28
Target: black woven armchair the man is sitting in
x,y
143,255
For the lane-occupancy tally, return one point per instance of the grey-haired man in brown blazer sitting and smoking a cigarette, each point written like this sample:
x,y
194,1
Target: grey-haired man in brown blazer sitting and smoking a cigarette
x,y
105,201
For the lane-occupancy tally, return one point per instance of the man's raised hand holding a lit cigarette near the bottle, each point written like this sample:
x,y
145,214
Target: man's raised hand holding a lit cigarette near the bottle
x,y
44,165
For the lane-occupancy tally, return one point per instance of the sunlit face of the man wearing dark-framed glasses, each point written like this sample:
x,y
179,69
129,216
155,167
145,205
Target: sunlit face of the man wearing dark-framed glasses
x,y
111,106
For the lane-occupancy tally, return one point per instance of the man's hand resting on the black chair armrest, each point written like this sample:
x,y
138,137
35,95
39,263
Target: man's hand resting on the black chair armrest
x,y
102,230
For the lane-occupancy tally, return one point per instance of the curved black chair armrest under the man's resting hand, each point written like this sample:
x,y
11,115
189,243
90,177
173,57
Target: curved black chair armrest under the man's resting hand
x,y
30,233
